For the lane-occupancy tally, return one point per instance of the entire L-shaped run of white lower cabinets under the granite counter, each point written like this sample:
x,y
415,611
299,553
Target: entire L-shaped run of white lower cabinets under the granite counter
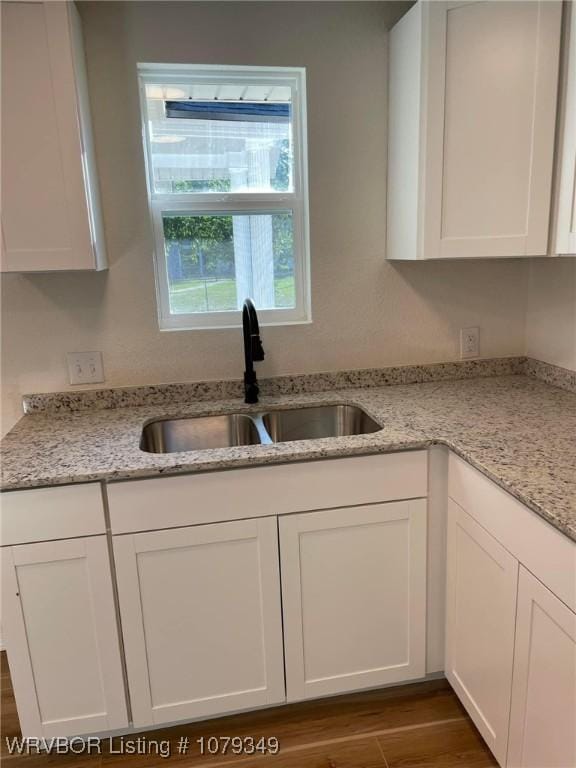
x,y
300,600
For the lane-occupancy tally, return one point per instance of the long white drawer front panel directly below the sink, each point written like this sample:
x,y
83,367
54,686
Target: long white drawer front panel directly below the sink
x,y
141,505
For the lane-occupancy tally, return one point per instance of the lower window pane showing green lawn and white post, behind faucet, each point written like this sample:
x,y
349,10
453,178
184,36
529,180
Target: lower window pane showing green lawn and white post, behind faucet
x,y
215,261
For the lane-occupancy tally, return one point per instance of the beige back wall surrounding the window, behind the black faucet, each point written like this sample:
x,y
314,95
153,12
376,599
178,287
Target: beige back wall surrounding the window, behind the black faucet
x,y
366,312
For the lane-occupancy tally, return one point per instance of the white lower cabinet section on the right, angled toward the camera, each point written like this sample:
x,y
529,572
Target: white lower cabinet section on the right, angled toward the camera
x,y
511,623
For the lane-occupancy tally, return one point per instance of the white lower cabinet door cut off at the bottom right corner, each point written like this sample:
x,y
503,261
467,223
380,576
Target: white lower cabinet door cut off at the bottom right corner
x,y
543,715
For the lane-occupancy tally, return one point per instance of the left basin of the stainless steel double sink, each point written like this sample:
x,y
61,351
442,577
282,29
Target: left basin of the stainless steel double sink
x,y
199,433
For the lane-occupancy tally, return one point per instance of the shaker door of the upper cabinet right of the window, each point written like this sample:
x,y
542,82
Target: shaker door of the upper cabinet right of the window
x,y
492,74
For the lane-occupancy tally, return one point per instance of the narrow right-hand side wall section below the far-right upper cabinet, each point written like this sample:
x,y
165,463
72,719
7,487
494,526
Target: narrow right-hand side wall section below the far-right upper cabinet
x,y
551,311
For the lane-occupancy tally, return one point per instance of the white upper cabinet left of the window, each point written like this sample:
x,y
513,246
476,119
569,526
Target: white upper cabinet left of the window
x,y
50,212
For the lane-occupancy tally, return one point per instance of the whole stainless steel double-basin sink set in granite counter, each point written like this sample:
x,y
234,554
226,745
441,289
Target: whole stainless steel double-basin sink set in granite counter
x,y
234,429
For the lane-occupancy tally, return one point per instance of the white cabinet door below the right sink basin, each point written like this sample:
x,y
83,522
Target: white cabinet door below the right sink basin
x,y
354,597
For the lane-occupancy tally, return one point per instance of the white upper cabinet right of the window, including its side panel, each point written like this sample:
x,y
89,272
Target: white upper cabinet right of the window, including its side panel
x,y
472,114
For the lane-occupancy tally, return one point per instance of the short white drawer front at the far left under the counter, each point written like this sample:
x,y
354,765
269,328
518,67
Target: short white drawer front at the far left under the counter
x,y
45,514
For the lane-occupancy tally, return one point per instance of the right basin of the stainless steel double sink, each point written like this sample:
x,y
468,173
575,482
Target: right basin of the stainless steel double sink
x,y
319,421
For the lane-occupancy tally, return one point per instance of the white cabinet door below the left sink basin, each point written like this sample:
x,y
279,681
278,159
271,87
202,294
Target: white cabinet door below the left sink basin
x,y
201,619
